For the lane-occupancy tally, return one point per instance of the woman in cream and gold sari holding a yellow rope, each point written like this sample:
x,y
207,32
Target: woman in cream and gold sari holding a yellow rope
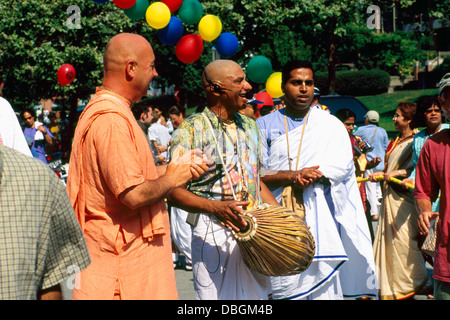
x,y
401,267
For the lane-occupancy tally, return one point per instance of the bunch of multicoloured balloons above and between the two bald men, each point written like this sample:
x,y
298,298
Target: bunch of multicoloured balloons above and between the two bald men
x,y
189,47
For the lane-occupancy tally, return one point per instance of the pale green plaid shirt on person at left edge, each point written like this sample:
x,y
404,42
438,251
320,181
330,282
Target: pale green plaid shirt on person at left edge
x,y
41,243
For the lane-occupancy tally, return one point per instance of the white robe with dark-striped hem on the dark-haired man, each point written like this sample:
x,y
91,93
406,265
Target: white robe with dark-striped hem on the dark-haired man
x,y
335,213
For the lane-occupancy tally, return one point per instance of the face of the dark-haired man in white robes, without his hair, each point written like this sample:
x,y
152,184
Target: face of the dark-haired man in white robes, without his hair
x,y
299,90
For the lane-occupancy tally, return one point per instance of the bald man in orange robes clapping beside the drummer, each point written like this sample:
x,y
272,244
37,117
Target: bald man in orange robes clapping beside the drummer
x,y
115,188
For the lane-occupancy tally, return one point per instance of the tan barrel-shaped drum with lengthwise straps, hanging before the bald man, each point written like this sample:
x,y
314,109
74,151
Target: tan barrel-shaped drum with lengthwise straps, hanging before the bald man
x,y
276,241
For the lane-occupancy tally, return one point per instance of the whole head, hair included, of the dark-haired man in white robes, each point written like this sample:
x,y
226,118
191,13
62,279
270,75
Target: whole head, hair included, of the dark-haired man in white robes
x,y
298,85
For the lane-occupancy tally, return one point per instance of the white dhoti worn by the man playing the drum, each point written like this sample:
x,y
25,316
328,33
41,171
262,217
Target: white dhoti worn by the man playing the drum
x,y
219,270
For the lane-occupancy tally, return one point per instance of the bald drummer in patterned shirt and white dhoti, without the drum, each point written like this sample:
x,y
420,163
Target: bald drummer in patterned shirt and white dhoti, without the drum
x,y
232,185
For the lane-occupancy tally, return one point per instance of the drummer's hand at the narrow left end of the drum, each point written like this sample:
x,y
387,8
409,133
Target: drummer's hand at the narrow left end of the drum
x,y
228,213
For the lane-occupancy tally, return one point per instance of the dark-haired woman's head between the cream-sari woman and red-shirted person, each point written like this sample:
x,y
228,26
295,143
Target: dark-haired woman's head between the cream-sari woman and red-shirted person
x,y
429,113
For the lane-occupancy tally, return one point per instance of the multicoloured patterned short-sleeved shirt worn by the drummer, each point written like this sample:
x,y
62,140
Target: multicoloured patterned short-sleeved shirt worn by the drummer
x,y
236,142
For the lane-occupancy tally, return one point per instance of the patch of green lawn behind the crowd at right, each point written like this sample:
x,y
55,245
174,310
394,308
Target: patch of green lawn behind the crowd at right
x,y
386,104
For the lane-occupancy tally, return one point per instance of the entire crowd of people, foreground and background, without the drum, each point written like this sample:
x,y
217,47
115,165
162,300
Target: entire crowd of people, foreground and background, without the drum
x,y
147,183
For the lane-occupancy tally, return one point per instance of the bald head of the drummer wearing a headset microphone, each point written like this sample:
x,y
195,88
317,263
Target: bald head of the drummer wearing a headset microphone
x,y
225,85
